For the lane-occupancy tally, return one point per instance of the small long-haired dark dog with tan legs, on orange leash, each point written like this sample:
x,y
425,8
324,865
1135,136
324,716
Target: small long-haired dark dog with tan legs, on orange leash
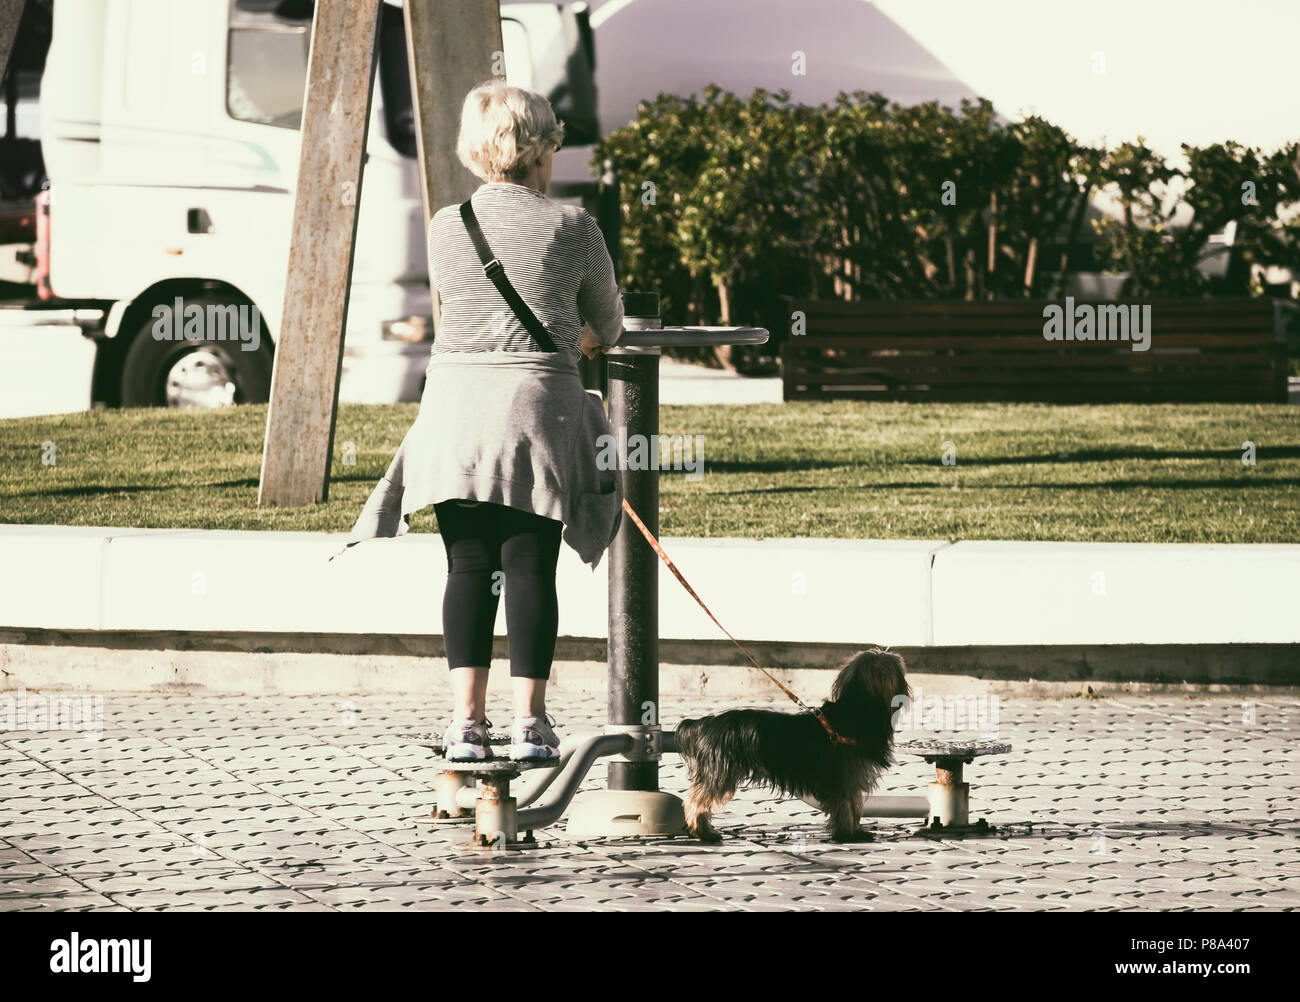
x,y
795,756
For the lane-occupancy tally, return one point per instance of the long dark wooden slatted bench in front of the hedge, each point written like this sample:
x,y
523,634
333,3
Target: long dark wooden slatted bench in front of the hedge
x,y
1202,350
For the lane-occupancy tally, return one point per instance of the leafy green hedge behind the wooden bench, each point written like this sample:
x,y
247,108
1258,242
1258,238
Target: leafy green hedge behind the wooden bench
x,y
729,206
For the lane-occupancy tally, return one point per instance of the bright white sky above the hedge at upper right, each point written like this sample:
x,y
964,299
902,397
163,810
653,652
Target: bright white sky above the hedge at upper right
x,y
1176,72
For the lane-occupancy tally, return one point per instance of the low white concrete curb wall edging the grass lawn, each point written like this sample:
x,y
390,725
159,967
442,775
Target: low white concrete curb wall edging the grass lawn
x,y
903,593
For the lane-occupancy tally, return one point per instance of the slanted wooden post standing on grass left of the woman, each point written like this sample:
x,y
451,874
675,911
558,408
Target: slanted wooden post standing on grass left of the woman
x,y
310,348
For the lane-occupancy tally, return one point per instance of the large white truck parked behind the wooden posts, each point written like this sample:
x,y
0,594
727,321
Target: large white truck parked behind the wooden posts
x,y
162,179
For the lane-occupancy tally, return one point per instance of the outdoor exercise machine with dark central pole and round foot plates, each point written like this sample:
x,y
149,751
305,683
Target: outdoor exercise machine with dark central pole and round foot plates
x,y
634,740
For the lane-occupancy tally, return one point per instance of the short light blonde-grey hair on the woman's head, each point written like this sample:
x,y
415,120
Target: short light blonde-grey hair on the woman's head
x,y
505,129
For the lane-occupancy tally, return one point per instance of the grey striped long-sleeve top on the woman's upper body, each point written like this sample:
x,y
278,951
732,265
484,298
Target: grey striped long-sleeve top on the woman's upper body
x,y
553,254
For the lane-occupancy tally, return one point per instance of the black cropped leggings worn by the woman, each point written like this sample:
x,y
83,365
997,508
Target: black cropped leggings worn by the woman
x,y
491,546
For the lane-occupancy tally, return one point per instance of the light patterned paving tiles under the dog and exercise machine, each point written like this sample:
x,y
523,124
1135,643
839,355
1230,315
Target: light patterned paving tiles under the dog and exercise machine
x,y
236,804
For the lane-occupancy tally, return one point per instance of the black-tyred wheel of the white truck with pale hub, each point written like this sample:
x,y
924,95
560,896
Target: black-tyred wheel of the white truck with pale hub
x,y
201,370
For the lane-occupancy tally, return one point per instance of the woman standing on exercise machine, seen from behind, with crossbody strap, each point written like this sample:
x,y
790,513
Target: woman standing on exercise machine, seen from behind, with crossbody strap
x,y
506,443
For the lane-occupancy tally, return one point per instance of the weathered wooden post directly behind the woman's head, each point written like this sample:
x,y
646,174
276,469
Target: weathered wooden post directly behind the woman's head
x,y
453,46
